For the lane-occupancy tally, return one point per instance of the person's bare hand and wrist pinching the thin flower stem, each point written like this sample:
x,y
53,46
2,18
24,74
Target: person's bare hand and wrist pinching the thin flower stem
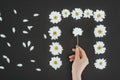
x,y
80,61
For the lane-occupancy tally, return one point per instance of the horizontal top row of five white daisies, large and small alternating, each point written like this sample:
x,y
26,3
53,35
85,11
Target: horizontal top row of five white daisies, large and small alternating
x,y
56,17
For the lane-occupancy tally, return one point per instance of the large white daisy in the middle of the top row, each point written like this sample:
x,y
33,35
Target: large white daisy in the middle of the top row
x,y
77,13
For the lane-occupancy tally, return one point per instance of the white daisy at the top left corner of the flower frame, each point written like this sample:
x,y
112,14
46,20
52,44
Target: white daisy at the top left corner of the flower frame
x,y
55,17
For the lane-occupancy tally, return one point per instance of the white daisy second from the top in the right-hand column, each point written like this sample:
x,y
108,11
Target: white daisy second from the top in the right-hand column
x,y
100,31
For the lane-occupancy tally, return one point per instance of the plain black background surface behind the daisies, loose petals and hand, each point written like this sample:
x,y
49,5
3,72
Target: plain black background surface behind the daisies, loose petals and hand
x,y
41,53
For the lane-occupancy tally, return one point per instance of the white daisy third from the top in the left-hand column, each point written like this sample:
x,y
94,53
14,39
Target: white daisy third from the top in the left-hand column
x,y
56,48
